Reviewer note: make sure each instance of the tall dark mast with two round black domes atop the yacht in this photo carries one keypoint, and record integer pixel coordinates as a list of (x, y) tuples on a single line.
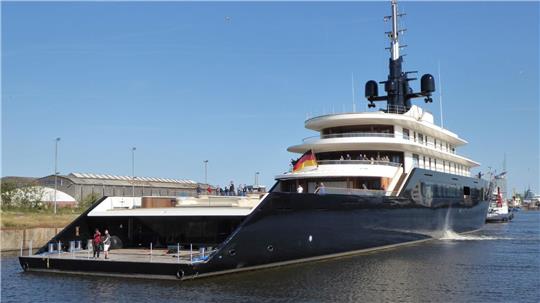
[(398, 91)]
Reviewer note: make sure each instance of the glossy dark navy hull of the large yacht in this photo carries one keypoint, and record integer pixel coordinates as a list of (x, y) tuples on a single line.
[(289, 227)]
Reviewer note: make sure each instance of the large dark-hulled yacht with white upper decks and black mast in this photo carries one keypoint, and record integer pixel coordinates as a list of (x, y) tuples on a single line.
[(366, 181)]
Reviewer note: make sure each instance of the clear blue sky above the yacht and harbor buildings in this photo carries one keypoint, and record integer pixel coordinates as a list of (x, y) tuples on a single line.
[(233, 82)]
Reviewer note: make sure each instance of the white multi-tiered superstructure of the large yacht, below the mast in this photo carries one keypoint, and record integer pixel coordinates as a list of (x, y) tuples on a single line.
[(376, 148)]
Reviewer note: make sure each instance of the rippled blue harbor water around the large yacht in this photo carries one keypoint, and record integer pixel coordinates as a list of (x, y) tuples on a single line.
[(500, 263)]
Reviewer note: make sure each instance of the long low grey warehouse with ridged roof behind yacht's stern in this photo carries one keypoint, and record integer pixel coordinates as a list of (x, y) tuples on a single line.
[(80, 185)]
